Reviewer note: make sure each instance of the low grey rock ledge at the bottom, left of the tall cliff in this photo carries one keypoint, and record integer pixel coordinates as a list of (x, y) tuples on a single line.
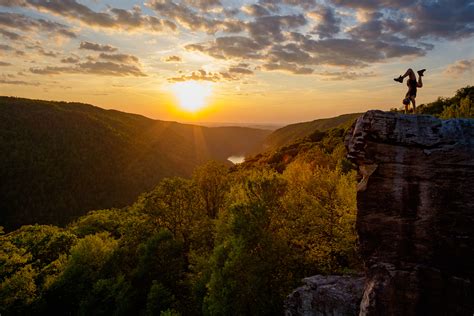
[(326, 296)]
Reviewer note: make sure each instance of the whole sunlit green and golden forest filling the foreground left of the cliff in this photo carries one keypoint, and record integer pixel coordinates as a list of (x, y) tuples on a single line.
[(225, 242)]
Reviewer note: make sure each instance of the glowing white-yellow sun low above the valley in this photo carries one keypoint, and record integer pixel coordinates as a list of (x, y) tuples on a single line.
[(192, 95)]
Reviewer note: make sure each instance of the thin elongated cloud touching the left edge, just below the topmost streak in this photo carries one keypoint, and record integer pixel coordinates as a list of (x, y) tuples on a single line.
[(25, 23)]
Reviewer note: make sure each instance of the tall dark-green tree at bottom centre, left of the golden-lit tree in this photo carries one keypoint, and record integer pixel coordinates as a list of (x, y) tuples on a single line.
[(249, 271)]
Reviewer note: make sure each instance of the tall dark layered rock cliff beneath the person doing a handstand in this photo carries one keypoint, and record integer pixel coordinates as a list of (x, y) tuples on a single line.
[(415, 214)]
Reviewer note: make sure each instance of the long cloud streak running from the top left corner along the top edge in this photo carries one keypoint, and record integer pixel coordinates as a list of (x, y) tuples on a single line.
[(113, 18)]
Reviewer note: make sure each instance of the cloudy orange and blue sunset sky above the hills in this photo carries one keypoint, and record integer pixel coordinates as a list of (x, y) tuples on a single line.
[(264, 61)]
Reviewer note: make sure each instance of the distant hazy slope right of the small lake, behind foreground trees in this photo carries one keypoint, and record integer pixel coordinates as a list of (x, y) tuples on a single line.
[(290, 133)]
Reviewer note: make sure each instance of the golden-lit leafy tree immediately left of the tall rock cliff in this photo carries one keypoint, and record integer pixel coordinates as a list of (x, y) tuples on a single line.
[(318, 217)]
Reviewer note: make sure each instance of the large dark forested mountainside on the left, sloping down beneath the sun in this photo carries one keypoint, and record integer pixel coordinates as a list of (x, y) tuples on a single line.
[(60, 160)]
